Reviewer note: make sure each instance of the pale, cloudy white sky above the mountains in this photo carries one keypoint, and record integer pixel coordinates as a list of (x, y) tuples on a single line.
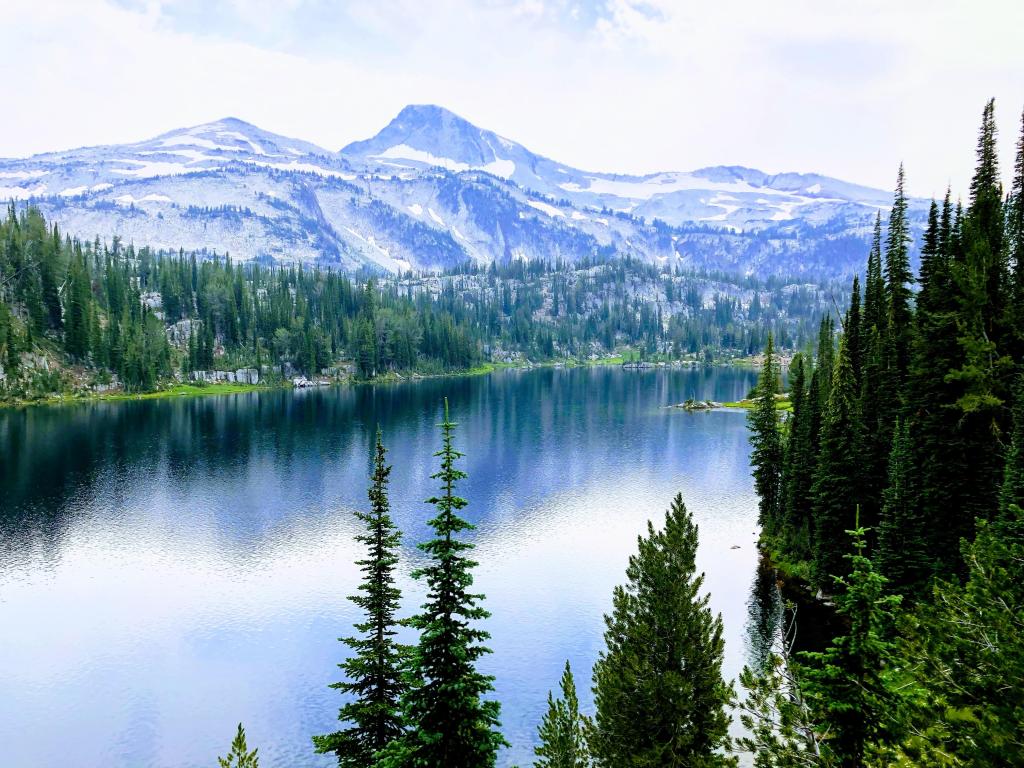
[(849, 90)]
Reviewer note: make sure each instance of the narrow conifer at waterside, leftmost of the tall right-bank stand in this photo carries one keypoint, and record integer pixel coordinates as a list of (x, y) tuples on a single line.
[(766, 443)]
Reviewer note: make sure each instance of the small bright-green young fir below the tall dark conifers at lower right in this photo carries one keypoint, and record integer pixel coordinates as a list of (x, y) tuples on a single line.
[(850, 687)]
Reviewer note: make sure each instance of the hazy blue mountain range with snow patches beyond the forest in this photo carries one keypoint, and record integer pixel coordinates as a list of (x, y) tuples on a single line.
[(432, 191)]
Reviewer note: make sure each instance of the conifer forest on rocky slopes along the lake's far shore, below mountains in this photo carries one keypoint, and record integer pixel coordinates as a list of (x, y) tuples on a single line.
[(144, 317)]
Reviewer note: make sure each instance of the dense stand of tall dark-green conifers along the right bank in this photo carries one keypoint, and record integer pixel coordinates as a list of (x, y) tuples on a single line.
[(909, 436)]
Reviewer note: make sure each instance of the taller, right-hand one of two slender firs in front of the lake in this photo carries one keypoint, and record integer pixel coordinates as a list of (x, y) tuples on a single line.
[(450, 722)]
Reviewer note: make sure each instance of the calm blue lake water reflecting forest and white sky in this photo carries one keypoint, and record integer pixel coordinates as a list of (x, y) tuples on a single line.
[(168, 569)]
